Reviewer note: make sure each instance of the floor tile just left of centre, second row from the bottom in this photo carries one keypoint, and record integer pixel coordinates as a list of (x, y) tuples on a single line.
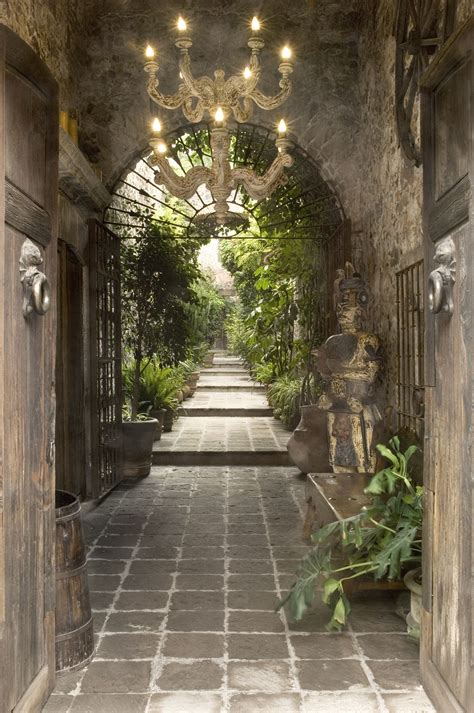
[(196, 675)]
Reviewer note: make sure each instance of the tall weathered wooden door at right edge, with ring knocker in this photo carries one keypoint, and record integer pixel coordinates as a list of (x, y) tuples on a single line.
[(447, 140)]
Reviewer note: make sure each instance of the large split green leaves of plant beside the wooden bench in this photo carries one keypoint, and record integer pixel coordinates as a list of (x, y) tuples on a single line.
[(383, 541)]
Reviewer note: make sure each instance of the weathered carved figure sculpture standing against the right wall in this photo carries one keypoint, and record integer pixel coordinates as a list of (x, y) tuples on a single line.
[(349, 363)]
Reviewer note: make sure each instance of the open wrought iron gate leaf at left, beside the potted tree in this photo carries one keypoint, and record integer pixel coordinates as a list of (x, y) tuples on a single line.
[(105, 347)]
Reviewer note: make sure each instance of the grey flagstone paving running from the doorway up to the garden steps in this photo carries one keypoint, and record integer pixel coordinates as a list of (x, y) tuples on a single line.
[(185, 569)]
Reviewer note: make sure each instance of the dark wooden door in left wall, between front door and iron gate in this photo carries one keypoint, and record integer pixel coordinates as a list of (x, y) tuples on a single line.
[(71, 467)]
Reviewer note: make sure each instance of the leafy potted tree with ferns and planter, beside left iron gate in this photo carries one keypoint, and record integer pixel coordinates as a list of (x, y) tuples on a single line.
[(157, 274)]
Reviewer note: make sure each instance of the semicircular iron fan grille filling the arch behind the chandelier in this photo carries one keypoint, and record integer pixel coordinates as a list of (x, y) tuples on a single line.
[(306, 207)]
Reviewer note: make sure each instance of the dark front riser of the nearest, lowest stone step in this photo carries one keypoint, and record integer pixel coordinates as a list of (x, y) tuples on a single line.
[(210, 458)]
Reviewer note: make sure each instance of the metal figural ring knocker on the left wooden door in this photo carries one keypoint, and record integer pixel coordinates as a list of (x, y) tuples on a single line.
[(36, 289)]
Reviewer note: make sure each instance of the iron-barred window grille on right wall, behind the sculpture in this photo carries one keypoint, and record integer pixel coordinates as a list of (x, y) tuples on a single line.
[(410, 347)]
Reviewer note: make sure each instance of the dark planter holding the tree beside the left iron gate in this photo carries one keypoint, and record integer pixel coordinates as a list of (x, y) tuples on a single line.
[(138, 439)]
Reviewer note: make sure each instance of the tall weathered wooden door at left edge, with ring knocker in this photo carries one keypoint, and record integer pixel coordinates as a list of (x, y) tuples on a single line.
[(28, 204)]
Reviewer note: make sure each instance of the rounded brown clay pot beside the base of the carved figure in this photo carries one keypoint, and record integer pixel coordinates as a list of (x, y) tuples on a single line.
[(308, 446)]
